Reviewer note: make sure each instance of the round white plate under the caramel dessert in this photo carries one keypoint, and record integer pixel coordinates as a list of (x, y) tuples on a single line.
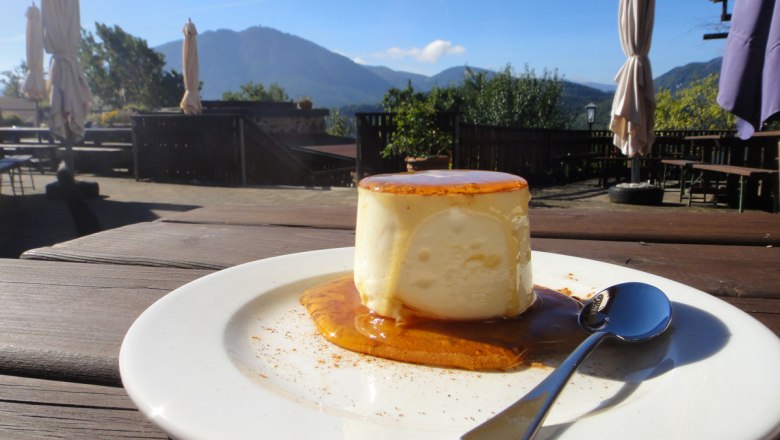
[(234, 355)]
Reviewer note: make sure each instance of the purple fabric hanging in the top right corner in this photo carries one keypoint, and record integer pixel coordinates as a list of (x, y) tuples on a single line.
[(750, 75)]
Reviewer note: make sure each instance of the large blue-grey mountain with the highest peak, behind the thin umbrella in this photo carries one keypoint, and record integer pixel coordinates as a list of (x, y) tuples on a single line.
[(229, 59)]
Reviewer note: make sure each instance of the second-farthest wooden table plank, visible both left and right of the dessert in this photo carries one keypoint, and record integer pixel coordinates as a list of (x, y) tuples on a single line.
[(723, 270)]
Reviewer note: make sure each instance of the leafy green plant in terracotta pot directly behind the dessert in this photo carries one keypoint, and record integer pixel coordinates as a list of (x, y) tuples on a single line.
[(417, 137)]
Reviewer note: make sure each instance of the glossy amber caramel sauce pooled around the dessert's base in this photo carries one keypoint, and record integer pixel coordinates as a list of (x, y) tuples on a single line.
[(549, 326)]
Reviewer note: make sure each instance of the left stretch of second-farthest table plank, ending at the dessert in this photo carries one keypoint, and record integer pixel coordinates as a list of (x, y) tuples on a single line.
[(191, 246)]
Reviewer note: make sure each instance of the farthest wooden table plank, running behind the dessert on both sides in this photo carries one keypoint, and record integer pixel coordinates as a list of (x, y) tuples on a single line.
[(749, 228)]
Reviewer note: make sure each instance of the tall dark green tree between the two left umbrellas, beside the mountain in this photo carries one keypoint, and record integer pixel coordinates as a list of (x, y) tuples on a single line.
[(122, 69)]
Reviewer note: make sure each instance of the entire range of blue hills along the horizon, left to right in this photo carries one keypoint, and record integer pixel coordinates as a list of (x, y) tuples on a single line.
[(264, 55)]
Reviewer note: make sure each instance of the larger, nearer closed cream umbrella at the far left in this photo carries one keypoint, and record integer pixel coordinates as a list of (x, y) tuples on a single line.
[(69, 92)]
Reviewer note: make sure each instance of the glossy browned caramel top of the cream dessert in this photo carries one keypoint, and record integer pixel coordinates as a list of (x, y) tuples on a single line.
[(443, 182)]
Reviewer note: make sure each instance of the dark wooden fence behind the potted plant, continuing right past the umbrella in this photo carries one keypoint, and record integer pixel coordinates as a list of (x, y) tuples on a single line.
[(540, 155)]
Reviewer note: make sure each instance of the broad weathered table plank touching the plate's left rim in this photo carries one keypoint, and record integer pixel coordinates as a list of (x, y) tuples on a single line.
[(66, 321)]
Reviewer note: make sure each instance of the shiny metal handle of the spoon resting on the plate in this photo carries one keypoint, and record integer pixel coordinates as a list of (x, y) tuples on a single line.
[(523, 418)]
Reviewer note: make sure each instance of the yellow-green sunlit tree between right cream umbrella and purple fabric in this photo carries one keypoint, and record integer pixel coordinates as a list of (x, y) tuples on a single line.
[(692, 108)]
